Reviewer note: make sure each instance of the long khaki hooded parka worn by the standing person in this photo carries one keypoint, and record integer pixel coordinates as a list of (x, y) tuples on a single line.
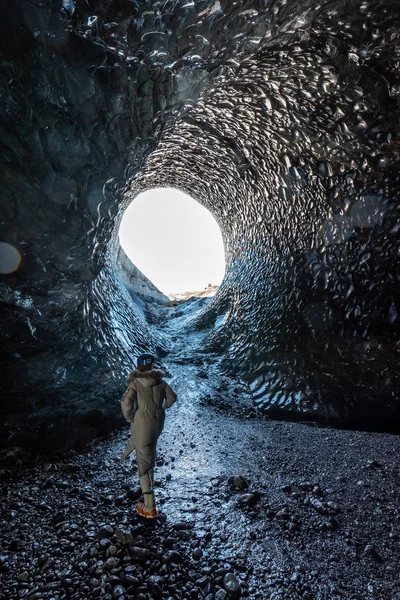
[(143, 406)]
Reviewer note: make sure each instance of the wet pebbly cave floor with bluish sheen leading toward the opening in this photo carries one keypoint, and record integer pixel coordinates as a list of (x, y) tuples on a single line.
[(249, 508)]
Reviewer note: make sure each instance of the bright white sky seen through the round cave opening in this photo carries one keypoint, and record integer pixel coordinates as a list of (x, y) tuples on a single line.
[(173, 240)]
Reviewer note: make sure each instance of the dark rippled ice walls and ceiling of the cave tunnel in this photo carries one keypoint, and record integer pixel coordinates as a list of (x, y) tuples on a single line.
[(281, 117)]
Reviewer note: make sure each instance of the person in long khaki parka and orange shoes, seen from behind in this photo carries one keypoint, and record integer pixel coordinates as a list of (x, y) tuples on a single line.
[(143, 405)]
